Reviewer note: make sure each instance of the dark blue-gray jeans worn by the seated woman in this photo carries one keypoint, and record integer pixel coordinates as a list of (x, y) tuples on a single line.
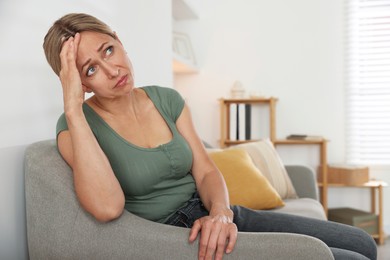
[(345, 242)]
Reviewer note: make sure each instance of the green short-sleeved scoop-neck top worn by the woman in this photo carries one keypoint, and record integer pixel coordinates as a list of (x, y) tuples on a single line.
[(155, 181)]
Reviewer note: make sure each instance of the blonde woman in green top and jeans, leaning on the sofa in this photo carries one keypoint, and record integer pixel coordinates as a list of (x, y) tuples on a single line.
[(136, 148)]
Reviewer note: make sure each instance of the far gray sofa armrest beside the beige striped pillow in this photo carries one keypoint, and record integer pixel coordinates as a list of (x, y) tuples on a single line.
[(304, 181)]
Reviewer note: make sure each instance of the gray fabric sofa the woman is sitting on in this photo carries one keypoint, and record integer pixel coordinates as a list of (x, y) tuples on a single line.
[(58, 228)]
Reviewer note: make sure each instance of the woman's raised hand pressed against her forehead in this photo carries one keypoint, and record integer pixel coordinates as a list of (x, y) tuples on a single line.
[(72, 88)]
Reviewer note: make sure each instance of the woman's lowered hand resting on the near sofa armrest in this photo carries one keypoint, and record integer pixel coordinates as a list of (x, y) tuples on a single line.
[(217, 233)]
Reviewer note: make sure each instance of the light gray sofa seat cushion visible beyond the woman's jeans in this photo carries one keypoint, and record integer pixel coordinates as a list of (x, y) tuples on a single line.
[(304, 207)]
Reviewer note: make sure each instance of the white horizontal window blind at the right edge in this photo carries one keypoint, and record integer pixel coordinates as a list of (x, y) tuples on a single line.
[(368, 82)]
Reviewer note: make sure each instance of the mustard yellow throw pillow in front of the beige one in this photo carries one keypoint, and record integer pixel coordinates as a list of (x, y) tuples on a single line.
[(246, 184)]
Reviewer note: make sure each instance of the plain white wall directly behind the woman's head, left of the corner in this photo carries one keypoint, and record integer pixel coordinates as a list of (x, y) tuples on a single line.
[(31, 98)]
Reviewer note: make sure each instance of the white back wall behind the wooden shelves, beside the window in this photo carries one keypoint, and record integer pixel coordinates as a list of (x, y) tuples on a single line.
[(293, 50)]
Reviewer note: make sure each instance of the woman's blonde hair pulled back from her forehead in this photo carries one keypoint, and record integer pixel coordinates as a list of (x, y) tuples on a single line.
[(66, 27)]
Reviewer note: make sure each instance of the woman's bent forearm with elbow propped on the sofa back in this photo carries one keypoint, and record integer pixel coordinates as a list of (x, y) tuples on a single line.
[(96, 185)]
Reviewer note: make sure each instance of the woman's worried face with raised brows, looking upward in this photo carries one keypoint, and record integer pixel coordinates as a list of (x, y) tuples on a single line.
[(103, 64)]
